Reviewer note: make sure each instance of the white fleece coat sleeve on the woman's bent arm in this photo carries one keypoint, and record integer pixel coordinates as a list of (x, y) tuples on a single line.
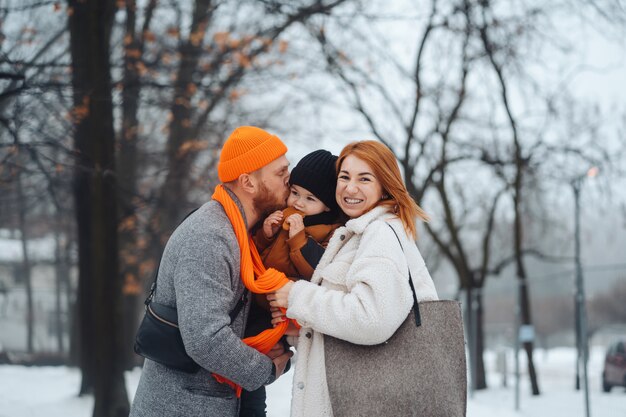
[(377, 299)]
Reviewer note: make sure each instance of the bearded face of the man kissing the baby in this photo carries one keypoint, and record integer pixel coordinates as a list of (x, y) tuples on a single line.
[(273, 186)]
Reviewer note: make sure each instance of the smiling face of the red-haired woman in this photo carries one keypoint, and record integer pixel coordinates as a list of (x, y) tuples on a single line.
[(358, 190)]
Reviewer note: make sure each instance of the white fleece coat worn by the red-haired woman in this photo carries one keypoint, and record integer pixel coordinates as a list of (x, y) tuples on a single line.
[(360, 293)]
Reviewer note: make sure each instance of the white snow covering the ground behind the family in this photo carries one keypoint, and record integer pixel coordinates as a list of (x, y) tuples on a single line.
[(51, 391)]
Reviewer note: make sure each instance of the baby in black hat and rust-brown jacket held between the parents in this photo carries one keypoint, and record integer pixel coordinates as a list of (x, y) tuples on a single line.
[(293, 241)]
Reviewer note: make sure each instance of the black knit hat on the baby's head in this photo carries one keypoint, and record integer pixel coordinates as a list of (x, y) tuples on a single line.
[(316, 172)]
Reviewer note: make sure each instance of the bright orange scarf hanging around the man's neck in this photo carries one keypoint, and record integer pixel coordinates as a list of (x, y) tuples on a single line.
[(267, 280)]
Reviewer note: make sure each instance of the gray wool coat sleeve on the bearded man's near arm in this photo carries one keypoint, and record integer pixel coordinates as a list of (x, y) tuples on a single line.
[(204, 298)]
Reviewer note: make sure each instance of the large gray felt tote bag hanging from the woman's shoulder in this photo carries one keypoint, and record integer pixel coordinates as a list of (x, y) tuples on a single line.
[(419, 371)]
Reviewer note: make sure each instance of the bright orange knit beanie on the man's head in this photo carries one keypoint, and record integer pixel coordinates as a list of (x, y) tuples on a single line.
[(247, 149)]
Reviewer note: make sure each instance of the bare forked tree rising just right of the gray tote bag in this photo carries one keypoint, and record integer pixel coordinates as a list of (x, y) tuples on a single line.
[(428, 155)]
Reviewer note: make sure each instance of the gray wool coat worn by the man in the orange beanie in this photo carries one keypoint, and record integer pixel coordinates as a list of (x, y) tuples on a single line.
[(199, 275)]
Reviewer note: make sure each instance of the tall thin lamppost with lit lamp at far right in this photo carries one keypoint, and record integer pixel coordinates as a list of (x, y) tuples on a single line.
[(582, 347)]
